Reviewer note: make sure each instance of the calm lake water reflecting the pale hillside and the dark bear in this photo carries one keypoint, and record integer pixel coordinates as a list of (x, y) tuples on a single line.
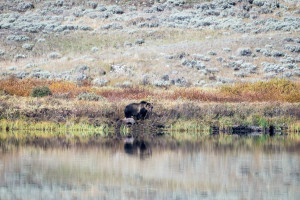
[(215, 167)]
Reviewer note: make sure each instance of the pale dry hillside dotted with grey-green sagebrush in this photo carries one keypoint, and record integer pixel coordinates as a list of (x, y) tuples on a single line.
[(161, 43)]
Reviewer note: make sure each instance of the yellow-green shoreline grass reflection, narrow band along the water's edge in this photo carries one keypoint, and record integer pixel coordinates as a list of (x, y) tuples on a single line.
[(193, 139)]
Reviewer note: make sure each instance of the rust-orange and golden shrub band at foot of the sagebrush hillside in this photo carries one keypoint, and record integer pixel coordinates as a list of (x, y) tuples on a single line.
[(271, 91)]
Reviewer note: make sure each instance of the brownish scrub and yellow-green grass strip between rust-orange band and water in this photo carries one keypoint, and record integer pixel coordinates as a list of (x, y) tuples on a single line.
[(50, 114)]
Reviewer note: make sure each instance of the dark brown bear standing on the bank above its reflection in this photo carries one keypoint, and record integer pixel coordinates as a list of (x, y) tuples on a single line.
[(138, 110)]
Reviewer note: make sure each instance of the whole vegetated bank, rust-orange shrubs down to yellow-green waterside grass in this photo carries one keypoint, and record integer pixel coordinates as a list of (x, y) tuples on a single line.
[(83, 107)]
